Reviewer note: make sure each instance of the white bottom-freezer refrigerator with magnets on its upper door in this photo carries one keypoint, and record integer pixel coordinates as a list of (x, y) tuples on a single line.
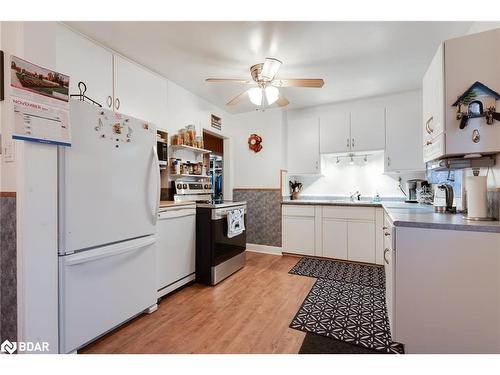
[(109, 191)]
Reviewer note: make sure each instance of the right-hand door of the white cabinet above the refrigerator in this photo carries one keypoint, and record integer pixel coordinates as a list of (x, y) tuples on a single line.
[(140, 93)]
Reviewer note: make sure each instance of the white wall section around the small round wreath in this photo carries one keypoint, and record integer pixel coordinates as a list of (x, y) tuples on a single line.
[(262, 169)]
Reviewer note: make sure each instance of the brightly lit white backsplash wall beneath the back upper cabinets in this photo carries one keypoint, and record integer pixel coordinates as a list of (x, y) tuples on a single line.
[(343, 178)]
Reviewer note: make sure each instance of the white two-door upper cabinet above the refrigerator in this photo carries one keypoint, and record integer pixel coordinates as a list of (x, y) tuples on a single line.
[(111, 80)]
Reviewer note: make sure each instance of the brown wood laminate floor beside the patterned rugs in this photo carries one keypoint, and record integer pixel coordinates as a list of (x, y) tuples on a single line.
[(247, 313)]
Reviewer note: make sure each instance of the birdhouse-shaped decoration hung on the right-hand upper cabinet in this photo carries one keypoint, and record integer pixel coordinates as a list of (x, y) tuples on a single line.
[(477, 101)]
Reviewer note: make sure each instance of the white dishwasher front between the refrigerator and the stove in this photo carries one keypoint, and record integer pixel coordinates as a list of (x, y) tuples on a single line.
[(175, 248)]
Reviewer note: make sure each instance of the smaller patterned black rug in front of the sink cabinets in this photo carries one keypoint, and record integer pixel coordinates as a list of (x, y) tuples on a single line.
[(355, 273)]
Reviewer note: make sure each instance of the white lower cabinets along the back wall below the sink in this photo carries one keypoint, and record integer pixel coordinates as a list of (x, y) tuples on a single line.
[(339, 232)]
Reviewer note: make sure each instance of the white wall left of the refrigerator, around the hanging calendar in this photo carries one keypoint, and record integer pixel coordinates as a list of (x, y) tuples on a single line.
[(33, 176)]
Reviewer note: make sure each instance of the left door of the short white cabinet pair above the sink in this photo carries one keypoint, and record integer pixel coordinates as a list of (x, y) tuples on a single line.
[(334, 131)]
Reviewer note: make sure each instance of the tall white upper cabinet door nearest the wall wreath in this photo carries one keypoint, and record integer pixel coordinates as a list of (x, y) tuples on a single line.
[(303, 145)]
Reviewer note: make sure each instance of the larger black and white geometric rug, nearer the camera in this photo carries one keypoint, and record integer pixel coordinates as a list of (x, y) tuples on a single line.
[(349, 312)]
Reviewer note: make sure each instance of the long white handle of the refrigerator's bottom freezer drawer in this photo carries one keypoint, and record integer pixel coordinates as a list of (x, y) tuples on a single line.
[(109, 251)]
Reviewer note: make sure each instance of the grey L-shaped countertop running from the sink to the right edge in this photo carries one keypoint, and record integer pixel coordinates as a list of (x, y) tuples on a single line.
[(410, 214)]
